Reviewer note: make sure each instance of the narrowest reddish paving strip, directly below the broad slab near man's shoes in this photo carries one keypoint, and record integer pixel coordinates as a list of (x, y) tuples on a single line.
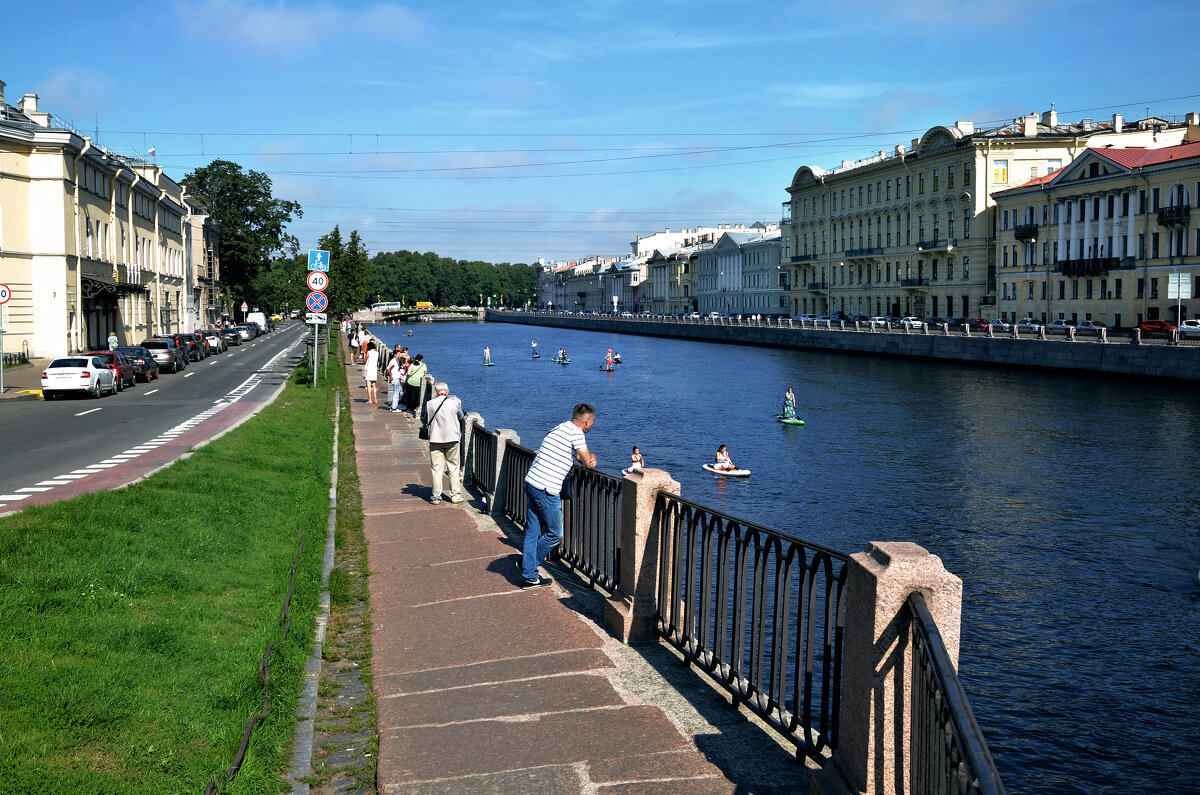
[(562, 662)]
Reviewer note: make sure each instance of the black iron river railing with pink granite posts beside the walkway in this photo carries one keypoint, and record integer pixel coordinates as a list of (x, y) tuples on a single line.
[(817, 643)]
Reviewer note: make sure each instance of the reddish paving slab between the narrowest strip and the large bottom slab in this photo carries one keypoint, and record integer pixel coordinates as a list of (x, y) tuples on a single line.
[(505, 700)]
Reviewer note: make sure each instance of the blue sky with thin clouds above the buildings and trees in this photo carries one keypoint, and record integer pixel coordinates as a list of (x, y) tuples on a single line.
[(509, 131)]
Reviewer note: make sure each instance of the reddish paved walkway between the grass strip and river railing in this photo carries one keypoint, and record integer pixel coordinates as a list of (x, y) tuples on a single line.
[(483, 688)]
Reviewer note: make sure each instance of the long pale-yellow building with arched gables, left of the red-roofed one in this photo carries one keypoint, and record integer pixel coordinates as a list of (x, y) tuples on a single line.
[(910, 232)]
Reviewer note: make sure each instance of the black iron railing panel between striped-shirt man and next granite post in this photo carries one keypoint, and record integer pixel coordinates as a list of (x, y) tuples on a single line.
[(592, 528)]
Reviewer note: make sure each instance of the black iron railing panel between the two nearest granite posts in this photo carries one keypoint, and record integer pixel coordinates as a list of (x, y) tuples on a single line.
[(761, 612)]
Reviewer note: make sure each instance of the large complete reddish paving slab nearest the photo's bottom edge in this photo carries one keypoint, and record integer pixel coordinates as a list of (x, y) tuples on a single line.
[(424, 754)]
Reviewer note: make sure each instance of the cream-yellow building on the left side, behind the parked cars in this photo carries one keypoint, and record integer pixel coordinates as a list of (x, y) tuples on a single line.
[(91, 242)]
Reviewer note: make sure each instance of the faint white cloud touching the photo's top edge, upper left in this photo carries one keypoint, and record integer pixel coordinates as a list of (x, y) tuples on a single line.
[(280, 28)]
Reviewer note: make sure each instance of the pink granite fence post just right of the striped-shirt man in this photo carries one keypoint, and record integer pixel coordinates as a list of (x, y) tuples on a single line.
[(631, 613)]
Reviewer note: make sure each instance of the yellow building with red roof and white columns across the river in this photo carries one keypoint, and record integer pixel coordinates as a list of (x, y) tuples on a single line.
[(1099, 241)]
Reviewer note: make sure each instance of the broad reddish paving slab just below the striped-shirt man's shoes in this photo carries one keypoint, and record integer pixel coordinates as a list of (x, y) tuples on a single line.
[(506, 626)]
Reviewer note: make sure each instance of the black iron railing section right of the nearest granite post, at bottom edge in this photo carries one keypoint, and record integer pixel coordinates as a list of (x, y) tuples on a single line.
[(949, 752)]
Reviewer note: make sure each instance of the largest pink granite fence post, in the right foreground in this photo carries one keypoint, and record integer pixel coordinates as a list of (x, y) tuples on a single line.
[(873, 755)]
